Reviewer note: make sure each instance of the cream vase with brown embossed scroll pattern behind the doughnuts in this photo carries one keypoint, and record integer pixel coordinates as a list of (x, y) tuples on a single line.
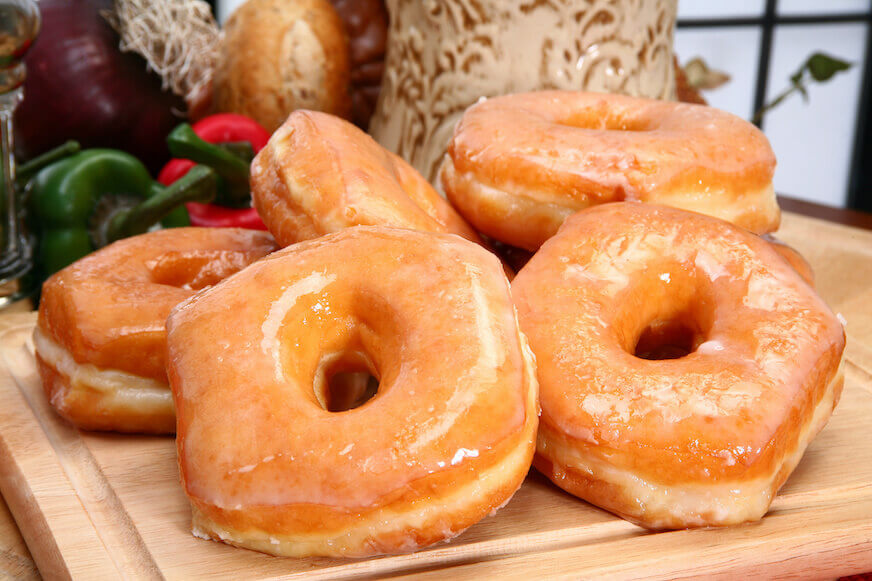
[(444, 55)]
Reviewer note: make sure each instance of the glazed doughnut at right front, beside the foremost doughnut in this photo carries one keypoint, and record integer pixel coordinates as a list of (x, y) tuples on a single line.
[(684, 366)]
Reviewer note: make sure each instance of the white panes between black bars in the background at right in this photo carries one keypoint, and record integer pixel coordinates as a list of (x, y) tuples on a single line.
[(813, 141)]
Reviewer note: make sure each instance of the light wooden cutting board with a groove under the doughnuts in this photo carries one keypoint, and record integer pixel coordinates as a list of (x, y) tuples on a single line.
[(105, 506)]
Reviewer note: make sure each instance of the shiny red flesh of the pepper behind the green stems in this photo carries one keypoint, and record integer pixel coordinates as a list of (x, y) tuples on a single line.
[(220, 128)]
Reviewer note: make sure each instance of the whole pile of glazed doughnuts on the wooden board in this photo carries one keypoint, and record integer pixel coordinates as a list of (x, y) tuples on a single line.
[(369, 388)]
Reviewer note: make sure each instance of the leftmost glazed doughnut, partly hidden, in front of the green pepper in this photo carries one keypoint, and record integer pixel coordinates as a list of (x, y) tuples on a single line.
[(100, 338)]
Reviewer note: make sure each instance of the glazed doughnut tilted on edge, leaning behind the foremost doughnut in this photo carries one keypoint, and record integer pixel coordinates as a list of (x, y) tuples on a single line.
[(319, 174)]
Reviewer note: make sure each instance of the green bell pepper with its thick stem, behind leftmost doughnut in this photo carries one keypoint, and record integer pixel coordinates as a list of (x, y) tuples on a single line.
[(97, 196)]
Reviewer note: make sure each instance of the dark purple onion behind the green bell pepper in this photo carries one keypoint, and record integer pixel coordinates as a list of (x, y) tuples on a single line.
[(81, 86)]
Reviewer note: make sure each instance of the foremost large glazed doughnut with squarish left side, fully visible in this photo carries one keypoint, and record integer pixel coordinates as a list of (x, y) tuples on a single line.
[(446, 440)]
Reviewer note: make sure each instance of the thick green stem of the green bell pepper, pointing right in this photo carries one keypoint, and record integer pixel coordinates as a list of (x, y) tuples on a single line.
[(198, 185)]
